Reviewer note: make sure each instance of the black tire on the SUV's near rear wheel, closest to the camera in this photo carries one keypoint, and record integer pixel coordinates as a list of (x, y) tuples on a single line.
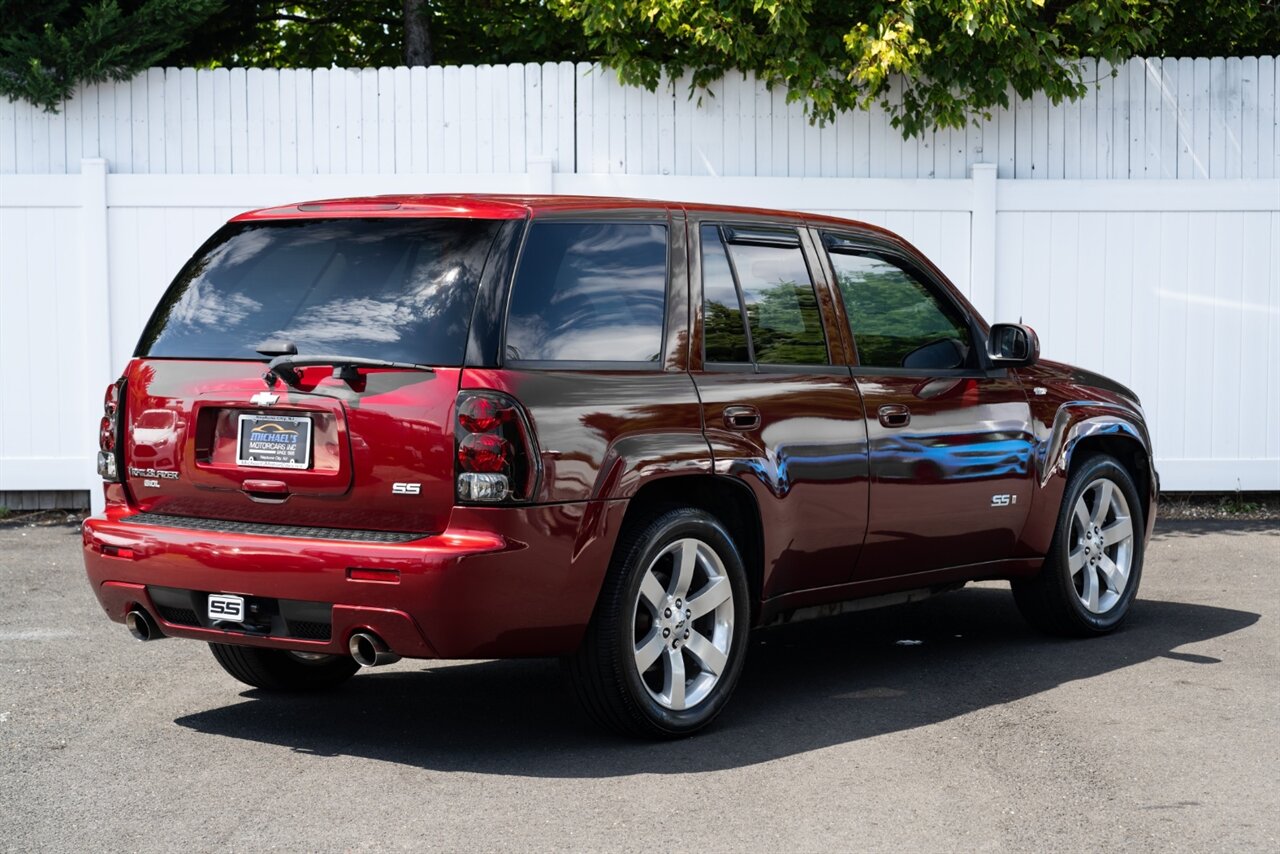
[(605, 673)]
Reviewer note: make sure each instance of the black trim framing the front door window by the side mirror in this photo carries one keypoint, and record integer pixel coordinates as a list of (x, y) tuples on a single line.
[(871, 244)]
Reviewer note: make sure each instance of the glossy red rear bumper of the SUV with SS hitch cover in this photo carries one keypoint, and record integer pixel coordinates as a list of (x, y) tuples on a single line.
[(500, 583)]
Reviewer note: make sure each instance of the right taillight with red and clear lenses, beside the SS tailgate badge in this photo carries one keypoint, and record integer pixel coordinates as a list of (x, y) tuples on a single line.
[(497, 459)]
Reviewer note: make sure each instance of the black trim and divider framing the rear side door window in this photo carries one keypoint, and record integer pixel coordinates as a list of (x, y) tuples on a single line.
[(755, 232)]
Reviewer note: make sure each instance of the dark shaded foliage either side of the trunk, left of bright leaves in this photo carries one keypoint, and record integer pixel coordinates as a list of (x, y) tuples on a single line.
[(48, 47)]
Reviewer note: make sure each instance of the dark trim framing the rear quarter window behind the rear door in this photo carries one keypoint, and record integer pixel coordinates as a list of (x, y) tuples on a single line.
[(606, 218)]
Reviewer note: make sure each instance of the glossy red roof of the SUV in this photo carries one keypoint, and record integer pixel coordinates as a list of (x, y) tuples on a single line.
[(492, 207)]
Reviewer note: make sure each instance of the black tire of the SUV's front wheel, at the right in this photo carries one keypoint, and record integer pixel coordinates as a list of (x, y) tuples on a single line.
[(1052, 601)]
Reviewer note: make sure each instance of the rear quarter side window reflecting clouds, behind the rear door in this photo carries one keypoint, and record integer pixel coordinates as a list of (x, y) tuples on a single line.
[(589, 293)]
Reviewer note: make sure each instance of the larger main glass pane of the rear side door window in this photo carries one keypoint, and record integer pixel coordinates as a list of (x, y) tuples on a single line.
[(781, 307)]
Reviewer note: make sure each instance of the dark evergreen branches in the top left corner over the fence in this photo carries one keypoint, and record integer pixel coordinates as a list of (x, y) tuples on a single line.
[(48, 47)]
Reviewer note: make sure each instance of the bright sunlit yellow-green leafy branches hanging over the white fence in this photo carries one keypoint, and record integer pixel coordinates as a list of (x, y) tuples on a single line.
[(954, 57)]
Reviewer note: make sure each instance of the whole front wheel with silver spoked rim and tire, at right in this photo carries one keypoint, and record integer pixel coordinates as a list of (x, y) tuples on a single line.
[(1095, 564)]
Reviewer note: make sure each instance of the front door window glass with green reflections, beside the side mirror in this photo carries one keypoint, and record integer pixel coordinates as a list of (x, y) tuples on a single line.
[(897, 321)]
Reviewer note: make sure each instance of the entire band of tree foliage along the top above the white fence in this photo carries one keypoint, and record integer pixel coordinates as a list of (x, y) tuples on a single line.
[(956, 58)]
